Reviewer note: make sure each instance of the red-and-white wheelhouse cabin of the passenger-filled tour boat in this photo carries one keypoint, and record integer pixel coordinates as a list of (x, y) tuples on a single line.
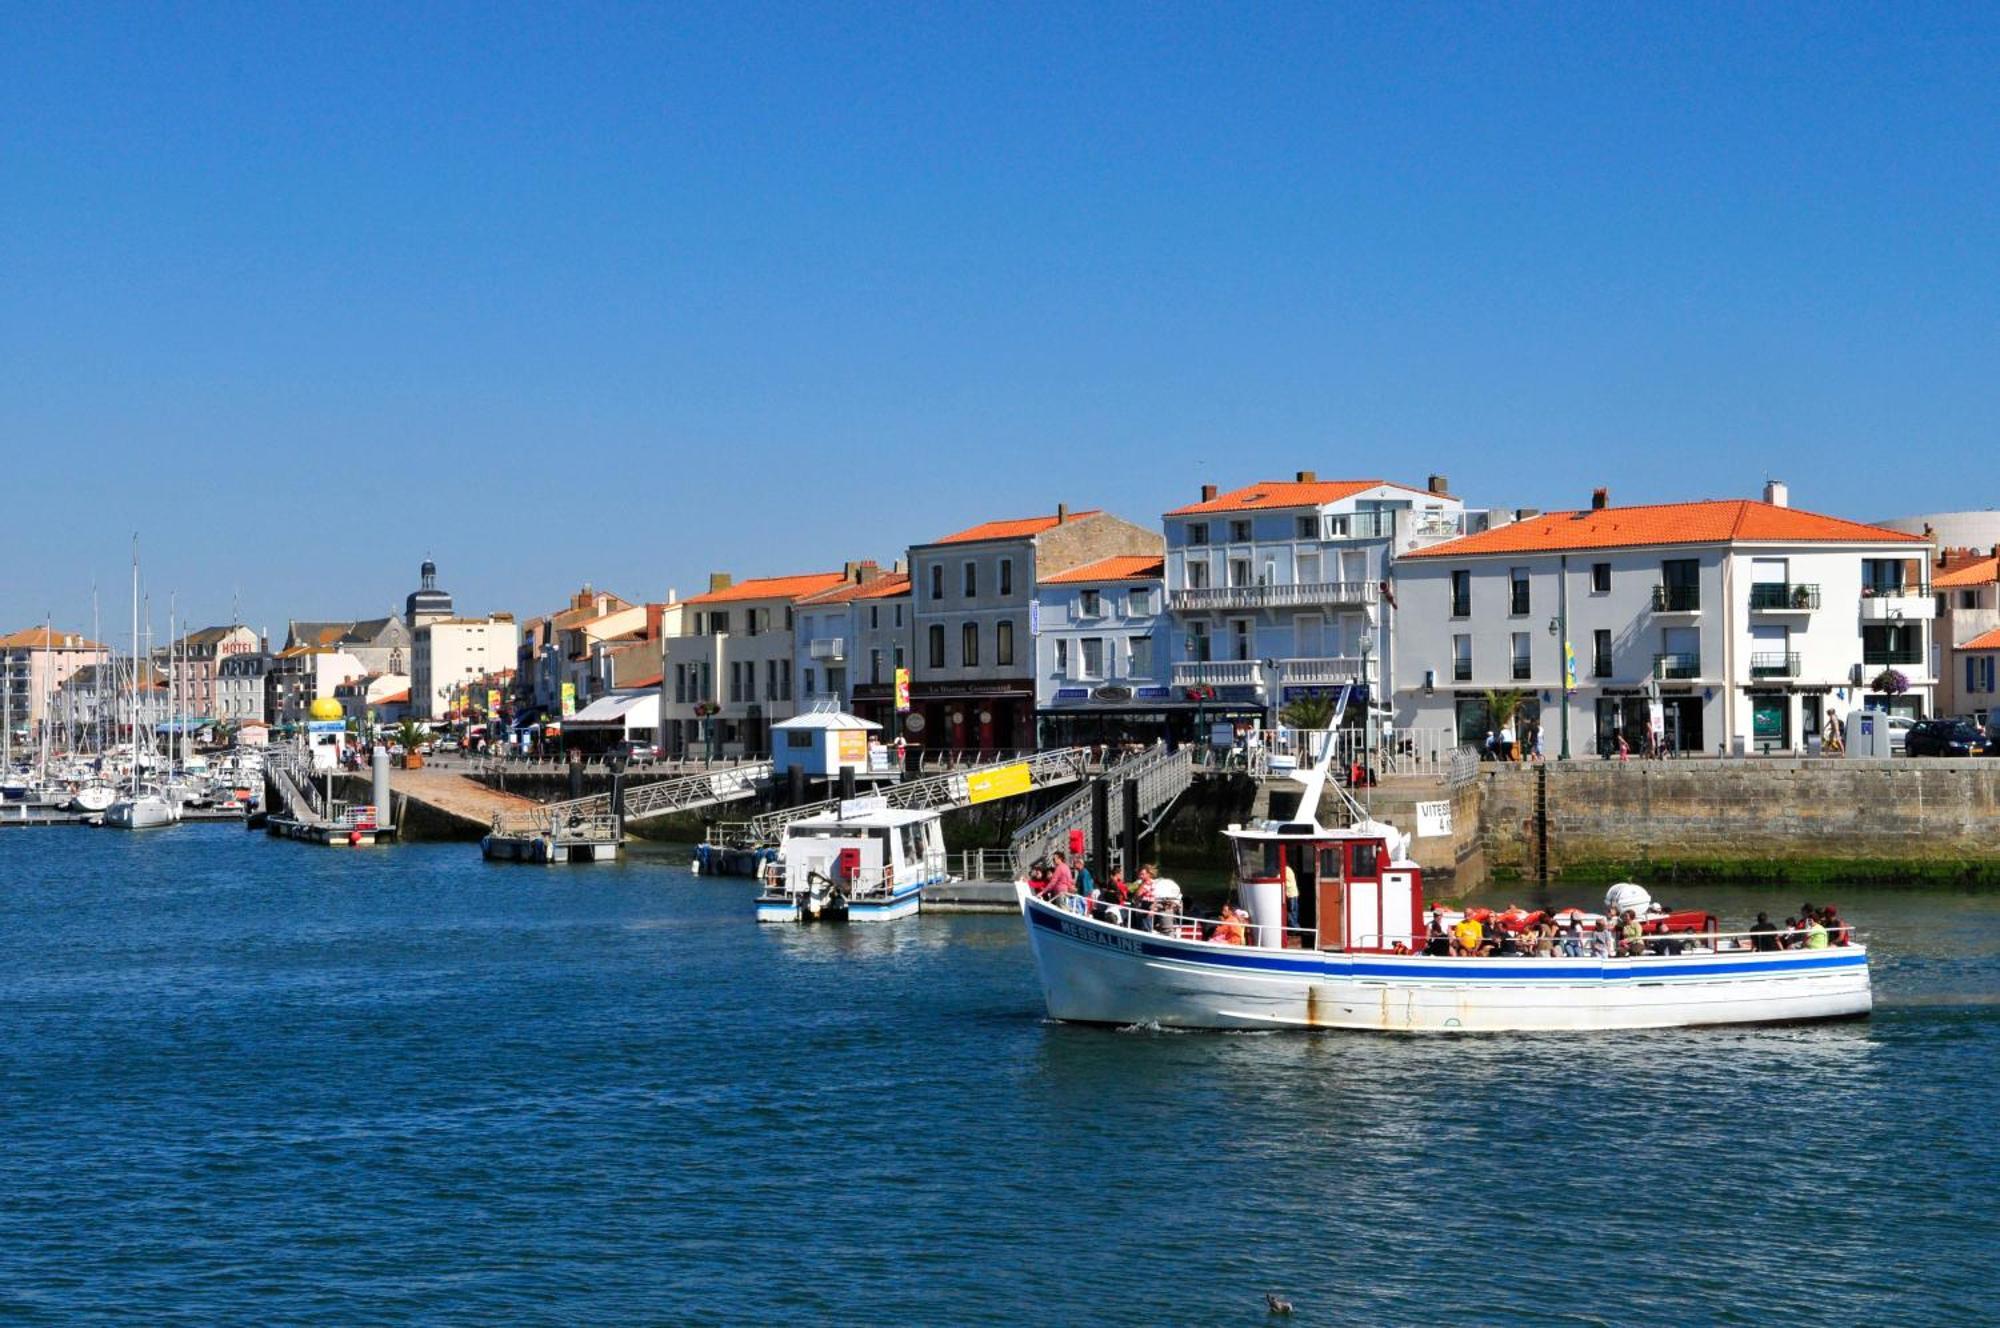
[(1357, 887)]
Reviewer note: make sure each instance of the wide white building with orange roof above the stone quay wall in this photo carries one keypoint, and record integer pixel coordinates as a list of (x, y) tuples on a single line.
[(1749, 623)]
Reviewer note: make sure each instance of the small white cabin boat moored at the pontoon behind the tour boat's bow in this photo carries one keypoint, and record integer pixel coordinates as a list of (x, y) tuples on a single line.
[(865, 863)]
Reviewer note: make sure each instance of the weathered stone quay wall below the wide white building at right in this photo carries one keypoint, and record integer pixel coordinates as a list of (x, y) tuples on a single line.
[(1771, 821)]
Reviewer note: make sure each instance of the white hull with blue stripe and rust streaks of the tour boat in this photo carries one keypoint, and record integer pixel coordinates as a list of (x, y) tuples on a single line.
[(1109, 975)]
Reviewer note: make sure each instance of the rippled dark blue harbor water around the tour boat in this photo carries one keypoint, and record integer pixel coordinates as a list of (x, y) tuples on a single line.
[(249, 1081)]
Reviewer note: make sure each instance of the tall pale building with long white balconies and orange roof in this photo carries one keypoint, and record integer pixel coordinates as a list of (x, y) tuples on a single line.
[(1275, 591)]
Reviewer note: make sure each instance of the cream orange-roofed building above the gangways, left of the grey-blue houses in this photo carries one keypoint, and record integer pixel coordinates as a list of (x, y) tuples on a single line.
[(729, 671)]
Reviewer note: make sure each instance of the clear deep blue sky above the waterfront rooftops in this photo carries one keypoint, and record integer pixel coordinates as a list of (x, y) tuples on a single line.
[(563, 293)]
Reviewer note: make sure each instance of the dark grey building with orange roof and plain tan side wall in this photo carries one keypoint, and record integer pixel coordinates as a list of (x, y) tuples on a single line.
[(973, 681)]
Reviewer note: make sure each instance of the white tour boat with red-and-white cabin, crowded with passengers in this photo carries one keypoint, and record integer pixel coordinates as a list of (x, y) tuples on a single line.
[(1357, 959)]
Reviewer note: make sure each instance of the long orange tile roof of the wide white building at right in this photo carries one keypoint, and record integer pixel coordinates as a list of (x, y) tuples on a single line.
[(1673, 523)]
